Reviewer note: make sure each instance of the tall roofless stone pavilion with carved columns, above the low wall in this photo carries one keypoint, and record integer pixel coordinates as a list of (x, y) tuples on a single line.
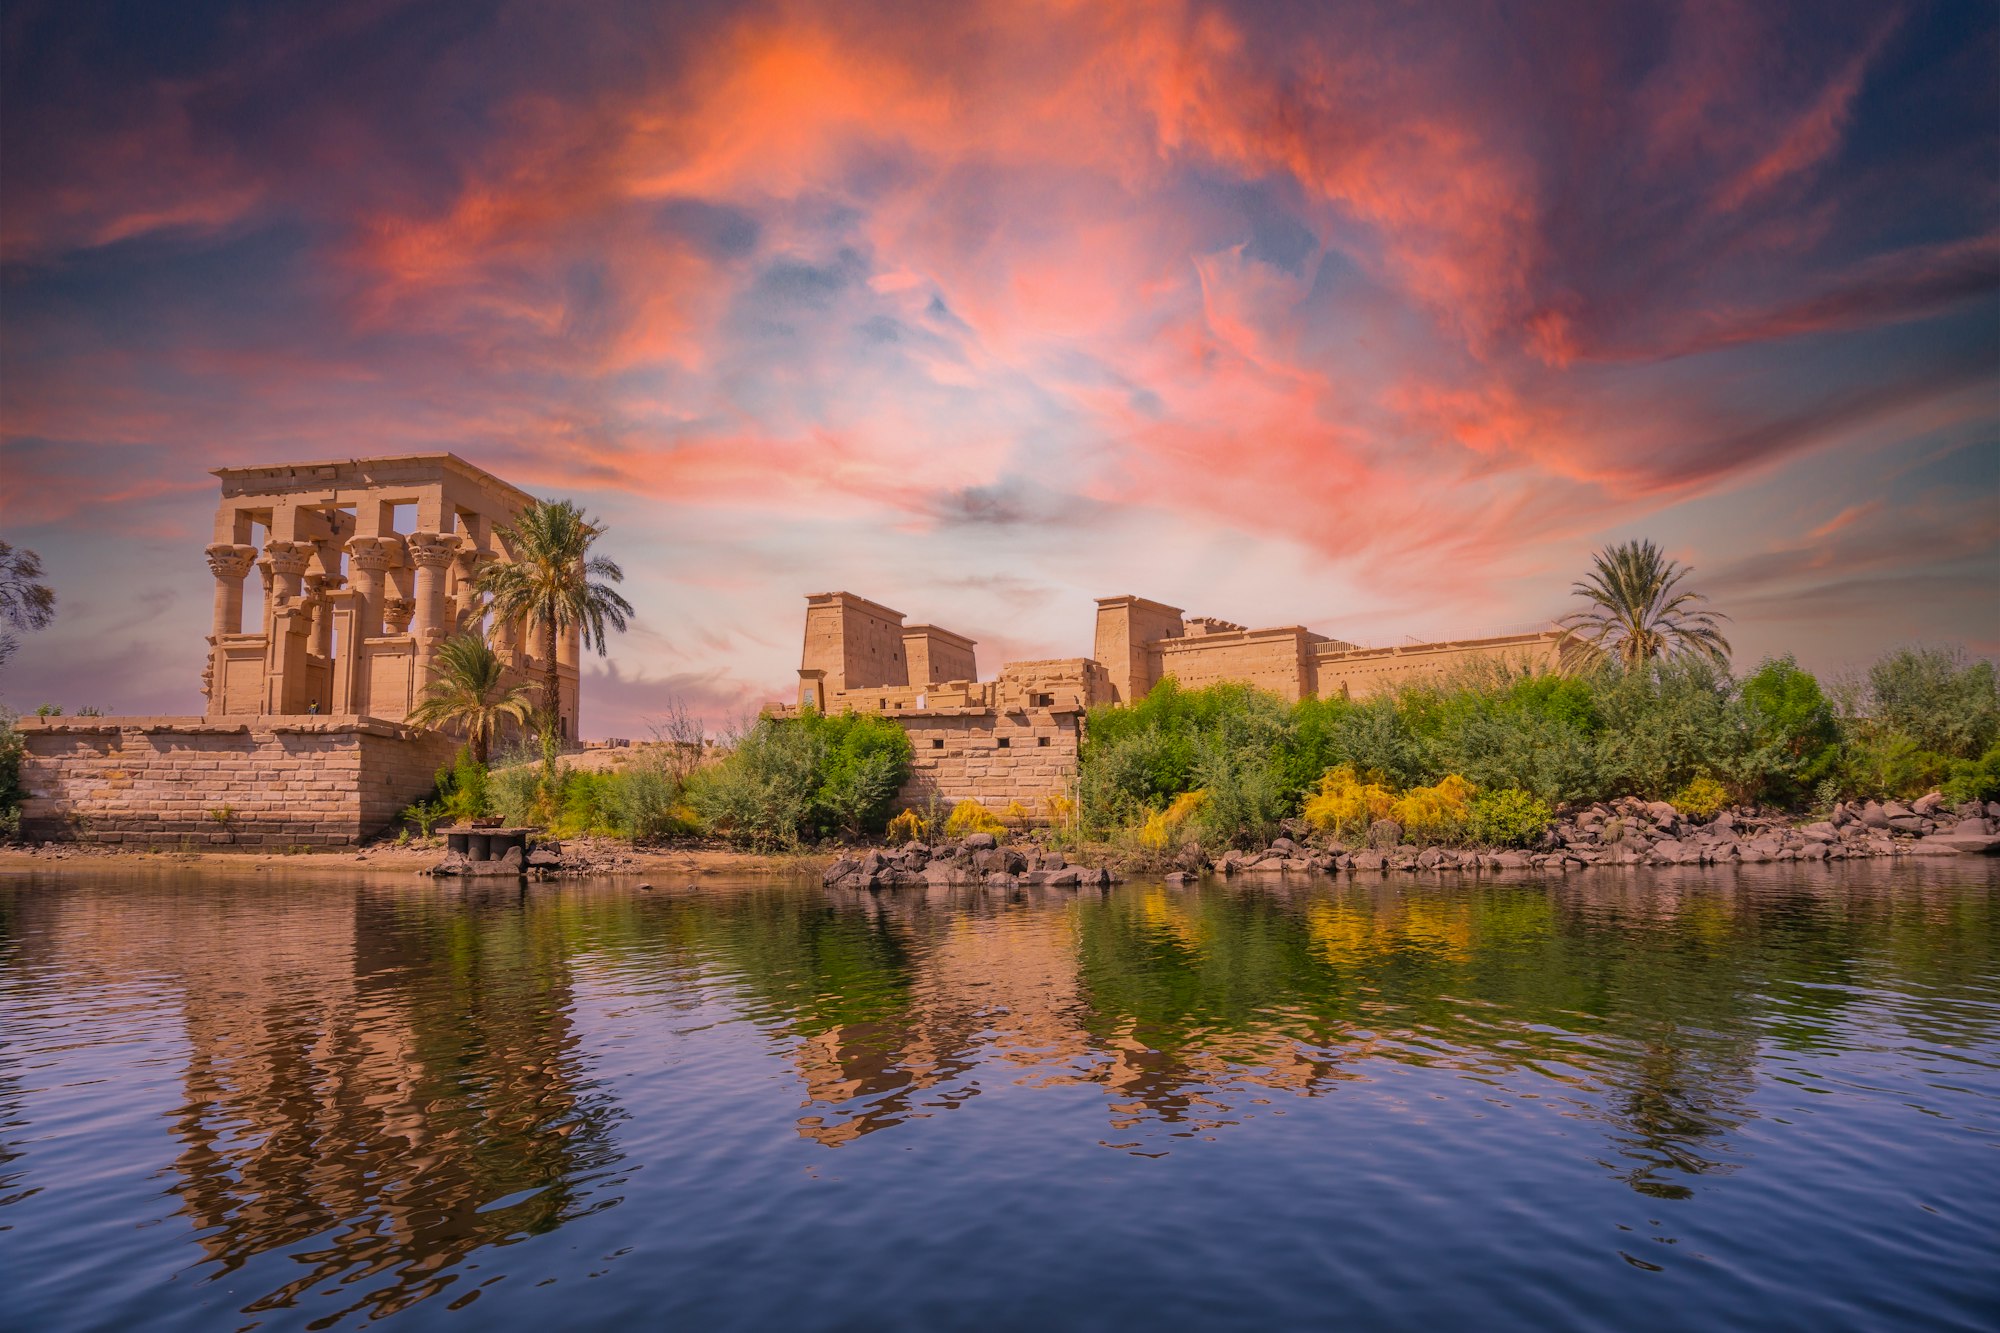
[(353, 609)]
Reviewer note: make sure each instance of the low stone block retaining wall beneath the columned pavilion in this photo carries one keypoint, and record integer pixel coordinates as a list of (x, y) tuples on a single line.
[(163, 782)]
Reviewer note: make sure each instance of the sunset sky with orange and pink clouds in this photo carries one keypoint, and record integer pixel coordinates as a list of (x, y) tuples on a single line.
[(1371, 317)]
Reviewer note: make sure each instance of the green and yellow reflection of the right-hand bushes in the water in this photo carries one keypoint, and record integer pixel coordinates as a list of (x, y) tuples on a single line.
[(1659, 1012)]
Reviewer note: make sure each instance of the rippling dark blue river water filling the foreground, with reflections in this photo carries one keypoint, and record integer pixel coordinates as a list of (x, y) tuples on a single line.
[(1685, 1100)]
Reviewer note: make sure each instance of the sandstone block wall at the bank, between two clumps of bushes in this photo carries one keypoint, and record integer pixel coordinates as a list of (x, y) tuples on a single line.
[(991, 756)]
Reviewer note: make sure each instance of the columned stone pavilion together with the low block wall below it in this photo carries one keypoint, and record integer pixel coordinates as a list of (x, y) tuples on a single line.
[(365, 569)]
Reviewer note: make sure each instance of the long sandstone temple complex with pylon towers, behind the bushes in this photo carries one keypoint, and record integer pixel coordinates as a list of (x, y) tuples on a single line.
[(1015, 740)]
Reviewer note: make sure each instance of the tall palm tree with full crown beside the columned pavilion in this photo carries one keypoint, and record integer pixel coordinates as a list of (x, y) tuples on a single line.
[(551, 579)]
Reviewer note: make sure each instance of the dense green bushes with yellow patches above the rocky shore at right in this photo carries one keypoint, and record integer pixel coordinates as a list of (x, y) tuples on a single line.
[(1489, 754)]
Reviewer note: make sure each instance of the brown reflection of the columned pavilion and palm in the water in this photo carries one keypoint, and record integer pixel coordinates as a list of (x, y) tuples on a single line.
[(377, 1106)]
